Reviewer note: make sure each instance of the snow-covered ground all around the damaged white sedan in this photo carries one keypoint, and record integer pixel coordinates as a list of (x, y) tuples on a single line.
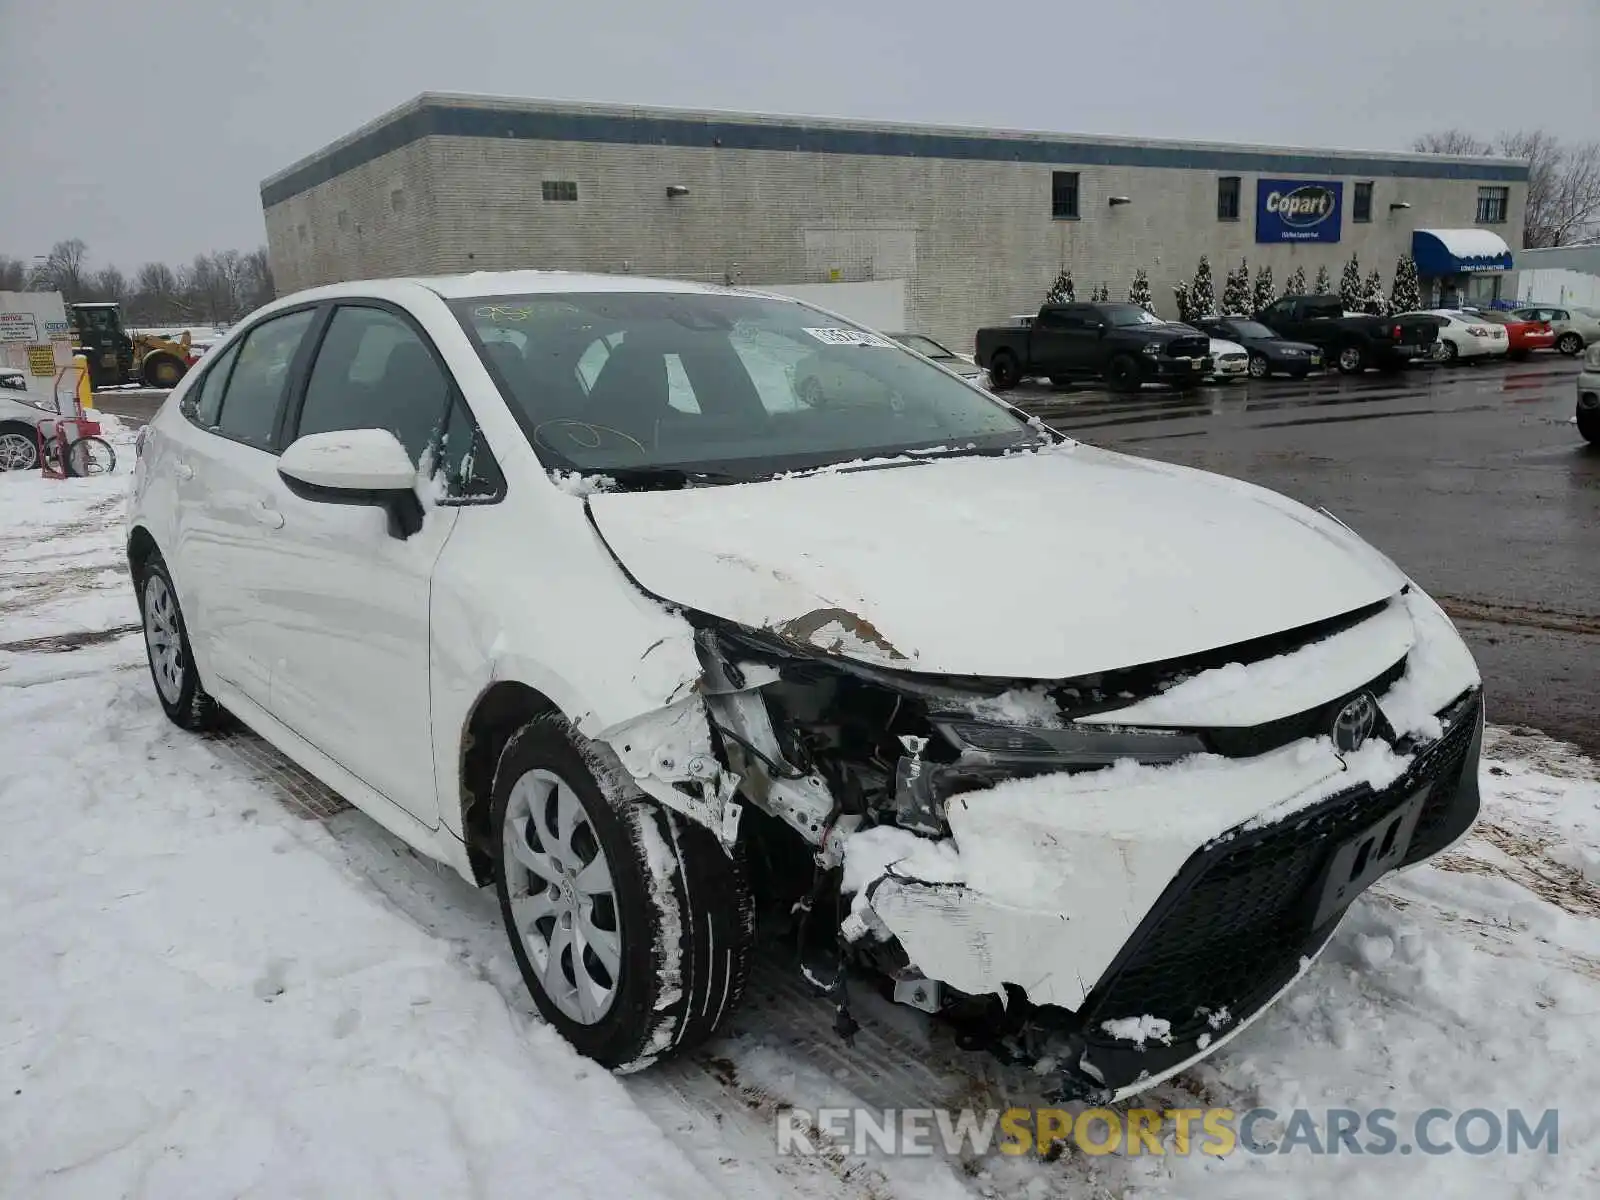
[(209, 994)]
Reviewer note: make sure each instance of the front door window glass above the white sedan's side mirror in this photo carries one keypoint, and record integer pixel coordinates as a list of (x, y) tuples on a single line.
[(375, 372)]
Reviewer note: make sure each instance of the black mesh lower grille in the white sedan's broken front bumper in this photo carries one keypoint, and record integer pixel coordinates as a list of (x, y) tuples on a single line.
[(1233, 929)]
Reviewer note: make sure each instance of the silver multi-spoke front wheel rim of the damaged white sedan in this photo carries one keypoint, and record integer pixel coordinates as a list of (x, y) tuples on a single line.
[(562, 897)]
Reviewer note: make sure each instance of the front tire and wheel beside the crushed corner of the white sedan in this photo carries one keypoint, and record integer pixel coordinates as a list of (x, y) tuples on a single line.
[(630, 924)]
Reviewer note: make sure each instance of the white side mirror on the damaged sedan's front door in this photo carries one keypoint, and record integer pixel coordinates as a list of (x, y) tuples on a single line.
[(356, 466)]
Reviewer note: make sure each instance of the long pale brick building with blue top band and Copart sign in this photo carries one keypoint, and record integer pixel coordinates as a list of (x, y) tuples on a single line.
[(975, 222)]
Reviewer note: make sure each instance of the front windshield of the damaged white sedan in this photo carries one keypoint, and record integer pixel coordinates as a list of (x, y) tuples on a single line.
[(721, 386)]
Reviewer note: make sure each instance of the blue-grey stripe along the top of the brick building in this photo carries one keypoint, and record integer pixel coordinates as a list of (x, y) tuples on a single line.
[(732, 135)]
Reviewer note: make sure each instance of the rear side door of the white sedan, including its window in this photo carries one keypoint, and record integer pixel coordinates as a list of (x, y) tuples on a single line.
[(226, 498)]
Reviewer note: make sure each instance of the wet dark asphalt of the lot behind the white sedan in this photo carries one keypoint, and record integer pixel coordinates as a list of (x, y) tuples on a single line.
[(1471, 478)]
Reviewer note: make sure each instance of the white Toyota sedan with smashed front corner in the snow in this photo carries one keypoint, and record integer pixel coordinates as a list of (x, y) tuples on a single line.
[(558, 578)]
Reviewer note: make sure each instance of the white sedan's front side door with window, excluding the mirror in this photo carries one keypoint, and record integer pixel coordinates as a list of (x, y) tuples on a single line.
[(350, 609)]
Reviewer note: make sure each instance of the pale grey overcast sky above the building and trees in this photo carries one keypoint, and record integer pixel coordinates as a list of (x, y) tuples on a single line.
[(146, 127)]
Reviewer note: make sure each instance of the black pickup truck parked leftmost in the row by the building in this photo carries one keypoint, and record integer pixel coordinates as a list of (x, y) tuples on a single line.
[(1119, 343)]
